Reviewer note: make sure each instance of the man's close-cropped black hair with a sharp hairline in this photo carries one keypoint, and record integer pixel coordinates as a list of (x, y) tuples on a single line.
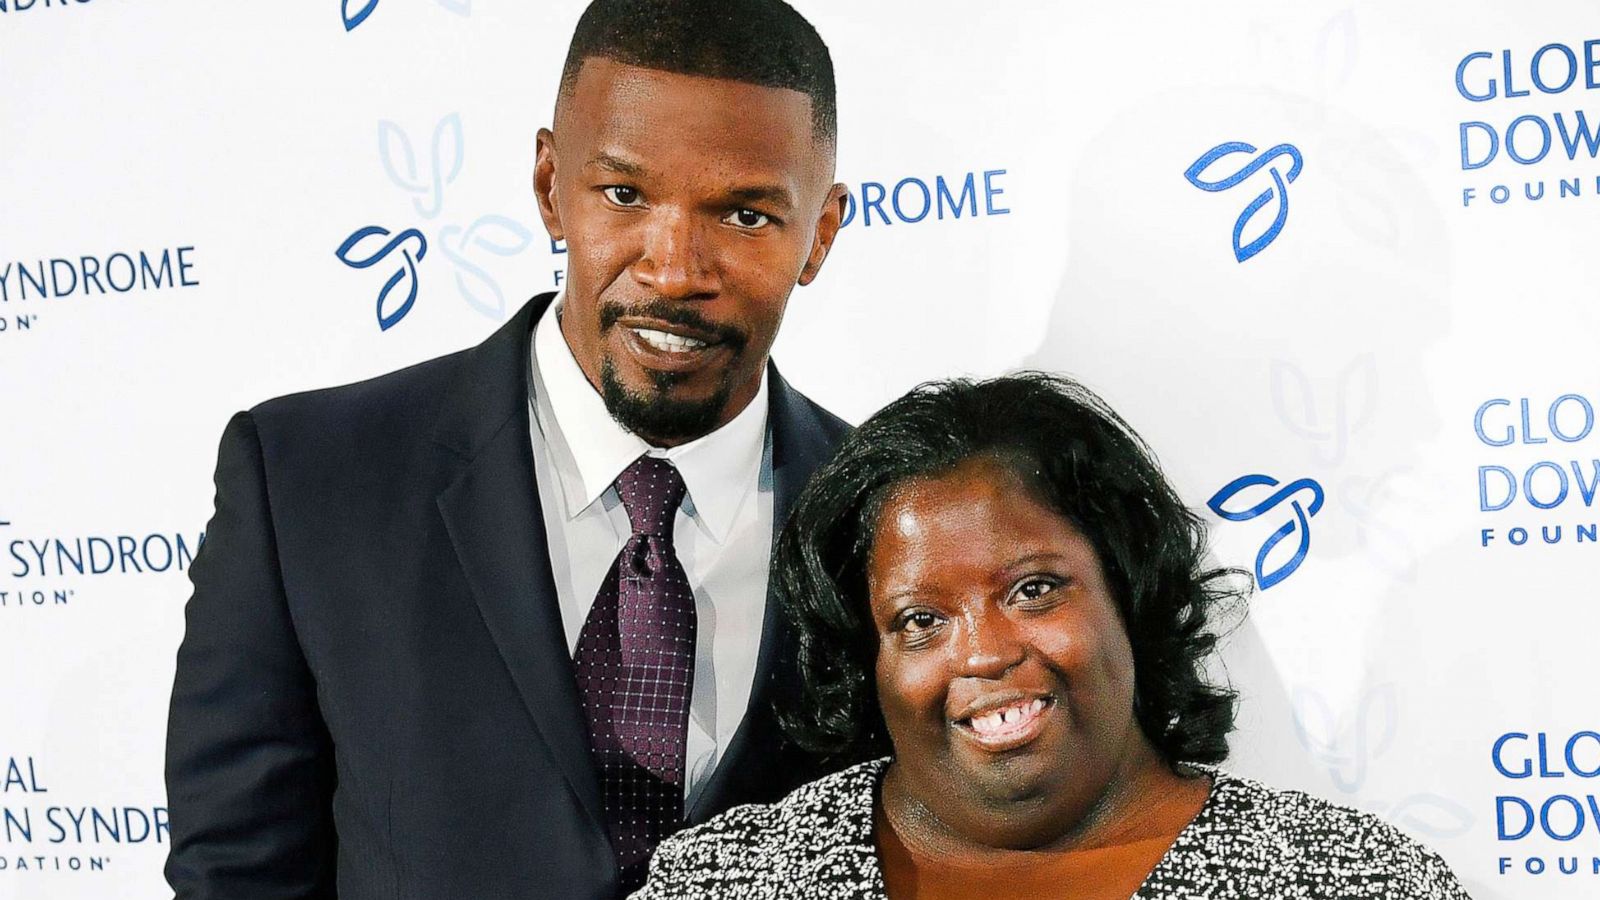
[(759, 42)]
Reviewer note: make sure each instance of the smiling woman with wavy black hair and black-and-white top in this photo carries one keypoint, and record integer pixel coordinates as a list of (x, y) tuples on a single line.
[(1006, 608)]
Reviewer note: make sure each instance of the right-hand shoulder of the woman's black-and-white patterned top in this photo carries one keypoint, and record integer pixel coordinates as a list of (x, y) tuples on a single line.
[(1287, 838)]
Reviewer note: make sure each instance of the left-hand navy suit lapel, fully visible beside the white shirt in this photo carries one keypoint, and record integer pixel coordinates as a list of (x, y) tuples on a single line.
[(497, 526)]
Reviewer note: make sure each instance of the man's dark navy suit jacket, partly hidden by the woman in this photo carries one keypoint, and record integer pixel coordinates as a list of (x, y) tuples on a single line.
[(374, 694)]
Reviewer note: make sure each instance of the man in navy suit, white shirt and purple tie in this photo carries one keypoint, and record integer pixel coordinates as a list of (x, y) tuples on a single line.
[(497, 624)]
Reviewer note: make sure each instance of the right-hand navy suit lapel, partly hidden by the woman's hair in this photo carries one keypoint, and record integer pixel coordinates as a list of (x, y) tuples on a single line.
[(799, 448)]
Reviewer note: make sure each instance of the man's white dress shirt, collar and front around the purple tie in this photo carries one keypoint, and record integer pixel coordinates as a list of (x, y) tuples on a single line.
[(724, 531)]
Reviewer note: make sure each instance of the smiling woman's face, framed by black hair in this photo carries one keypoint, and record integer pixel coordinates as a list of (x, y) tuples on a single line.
[(1004, 669)]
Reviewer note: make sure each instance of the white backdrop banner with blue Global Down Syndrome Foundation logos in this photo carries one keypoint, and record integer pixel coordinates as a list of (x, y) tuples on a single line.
[(1335, 262)]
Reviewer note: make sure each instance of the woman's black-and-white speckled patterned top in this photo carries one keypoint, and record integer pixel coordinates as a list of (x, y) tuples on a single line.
[(1247, 842)]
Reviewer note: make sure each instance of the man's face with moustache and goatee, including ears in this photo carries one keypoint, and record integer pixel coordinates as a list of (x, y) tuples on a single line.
[(690, 209)]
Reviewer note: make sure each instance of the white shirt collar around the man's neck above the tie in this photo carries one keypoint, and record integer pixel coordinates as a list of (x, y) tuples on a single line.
[(591, 449)]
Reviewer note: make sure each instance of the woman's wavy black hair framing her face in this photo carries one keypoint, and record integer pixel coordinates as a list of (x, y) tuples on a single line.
[(1087, 465)]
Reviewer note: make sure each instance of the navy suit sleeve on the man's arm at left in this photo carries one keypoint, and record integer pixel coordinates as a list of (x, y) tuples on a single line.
[(249, 760)]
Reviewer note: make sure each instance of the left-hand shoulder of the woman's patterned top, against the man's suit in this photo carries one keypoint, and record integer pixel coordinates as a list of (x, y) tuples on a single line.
[(820, 835)]
